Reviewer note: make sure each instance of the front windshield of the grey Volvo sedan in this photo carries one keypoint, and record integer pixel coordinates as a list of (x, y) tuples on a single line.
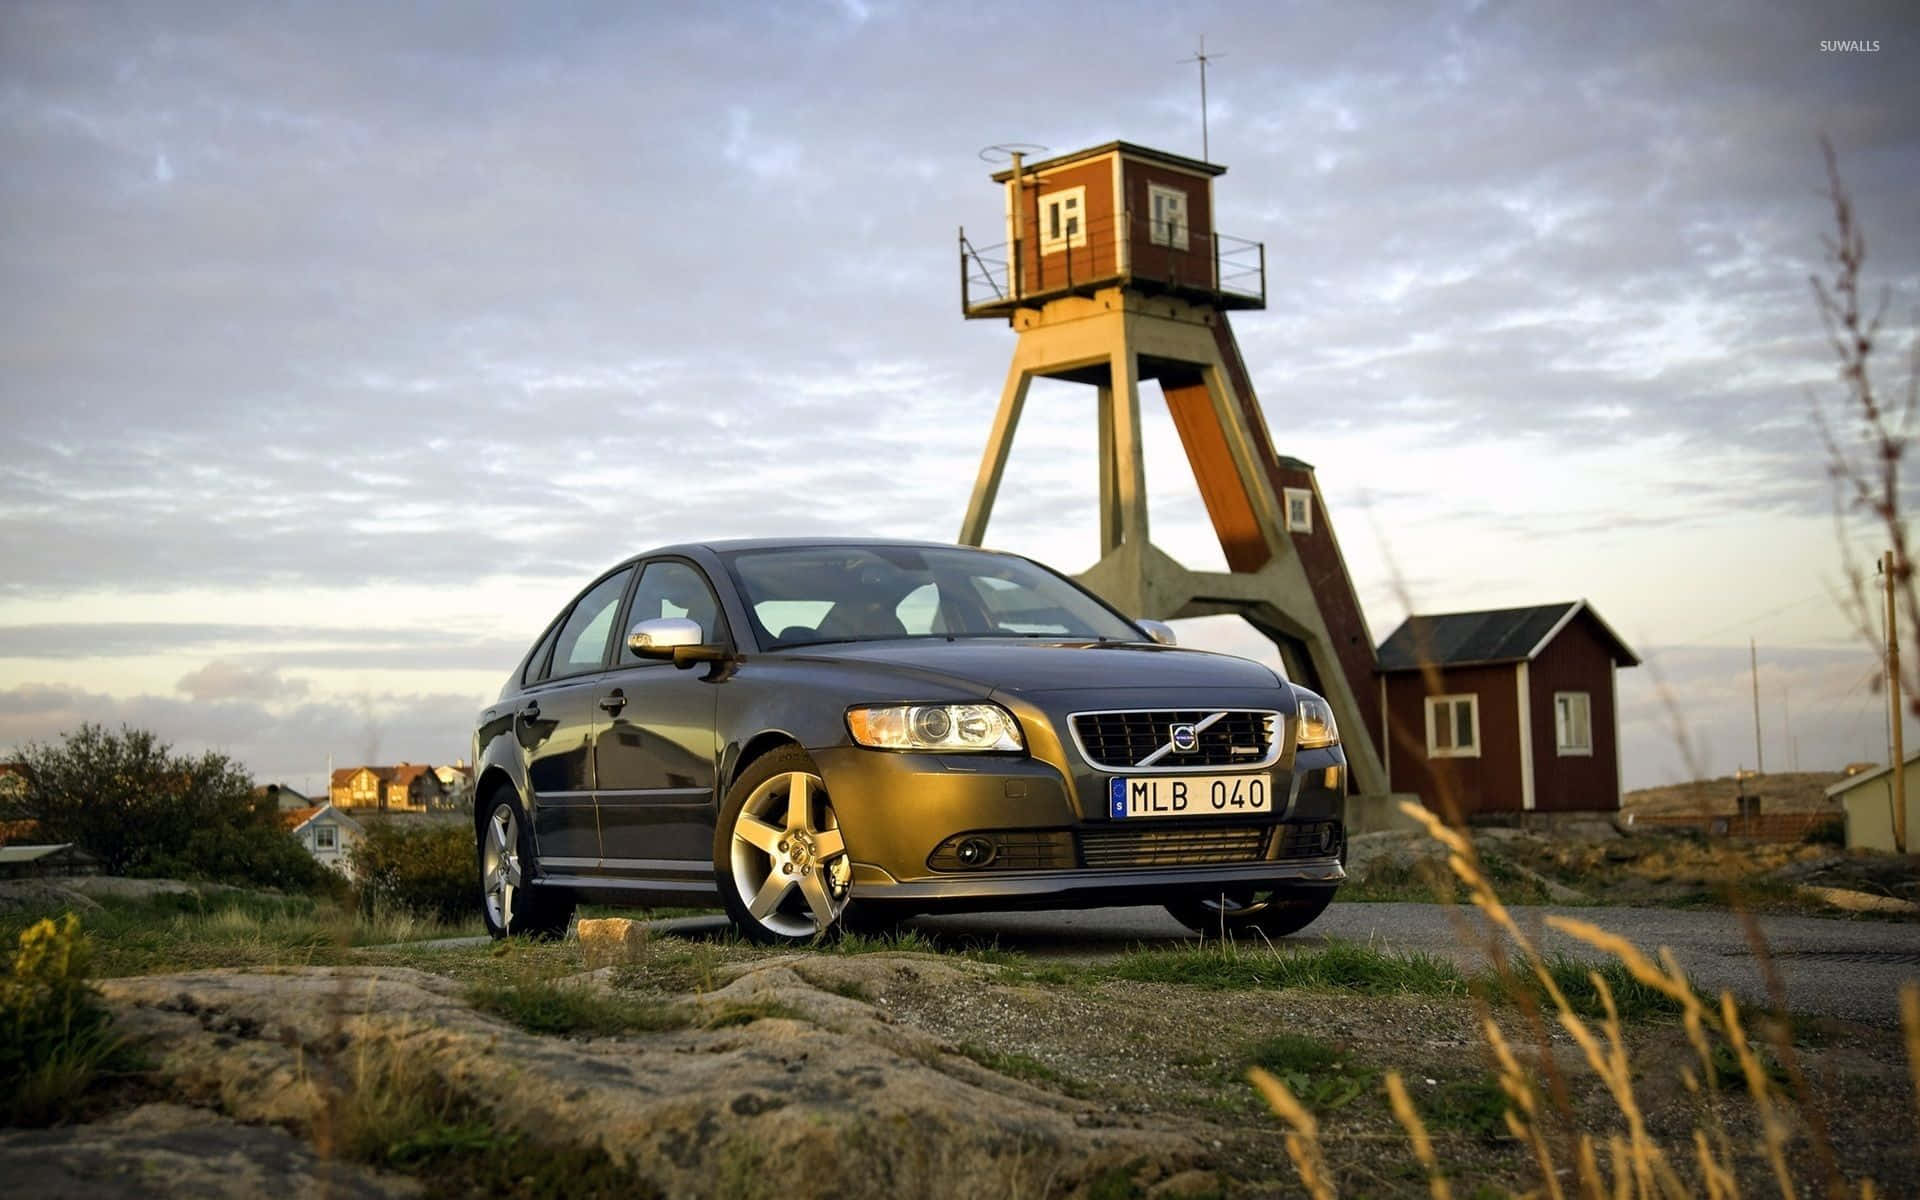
[(815, 594)]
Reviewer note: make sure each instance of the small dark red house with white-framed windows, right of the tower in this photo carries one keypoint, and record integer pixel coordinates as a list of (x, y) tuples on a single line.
[(1518, 711)]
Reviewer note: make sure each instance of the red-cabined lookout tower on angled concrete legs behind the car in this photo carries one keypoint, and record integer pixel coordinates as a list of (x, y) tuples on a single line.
[(1113, 274)]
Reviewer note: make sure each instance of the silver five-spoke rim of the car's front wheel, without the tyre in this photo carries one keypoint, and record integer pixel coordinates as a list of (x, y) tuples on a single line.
[(788, 857)]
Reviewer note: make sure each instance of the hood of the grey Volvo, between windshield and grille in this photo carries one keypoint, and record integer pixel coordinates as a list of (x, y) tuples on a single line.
[(1028, 667)]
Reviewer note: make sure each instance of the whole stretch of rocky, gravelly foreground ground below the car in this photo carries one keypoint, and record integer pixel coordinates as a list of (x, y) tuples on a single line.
[(865, 1074)]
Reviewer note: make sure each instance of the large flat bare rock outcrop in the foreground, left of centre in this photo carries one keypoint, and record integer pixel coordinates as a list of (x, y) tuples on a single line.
[(832, 1101)]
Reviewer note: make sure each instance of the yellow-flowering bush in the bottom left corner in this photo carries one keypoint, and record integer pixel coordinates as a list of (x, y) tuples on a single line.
[(55, 1036)]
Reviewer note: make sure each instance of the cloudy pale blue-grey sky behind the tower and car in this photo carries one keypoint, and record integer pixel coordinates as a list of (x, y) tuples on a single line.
[(341, 345)]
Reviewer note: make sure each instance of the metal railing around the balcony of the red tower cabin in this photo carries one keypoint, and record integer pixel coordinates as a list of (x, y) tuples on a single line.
[(1124, 249)]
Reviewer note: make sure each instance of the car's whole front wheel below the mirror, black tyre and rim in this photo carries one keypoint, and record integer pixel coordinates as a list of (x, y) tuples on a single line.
[(780, 859)]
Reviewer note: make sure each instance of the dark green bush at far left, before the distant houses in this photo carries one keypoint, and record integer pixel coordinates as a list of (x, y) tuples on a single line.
[(145, 811)]
